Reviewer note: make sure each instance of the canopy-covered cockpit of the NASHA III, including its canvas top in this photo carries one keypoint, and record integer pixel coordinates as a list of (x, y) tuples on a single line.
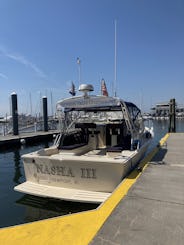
[(99, 122)]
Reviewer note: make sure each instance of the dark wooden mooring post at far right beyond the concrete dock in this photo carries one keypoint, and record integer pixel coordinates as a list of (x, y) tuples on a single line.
[(172, 116)]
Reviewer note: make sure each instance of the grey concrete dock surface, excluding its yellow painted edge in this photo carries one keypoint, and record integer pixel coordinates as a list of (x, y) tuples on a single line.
[(153, 210)]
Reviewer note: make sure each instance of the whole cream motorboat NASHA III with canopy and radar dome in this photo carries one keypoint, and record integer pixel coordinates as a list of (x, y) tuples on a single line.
[(102, 139)]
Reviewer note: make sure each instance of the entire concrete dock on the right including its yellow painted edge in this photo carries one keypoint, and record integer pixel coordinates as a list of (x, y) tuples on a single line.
[(146, 208)]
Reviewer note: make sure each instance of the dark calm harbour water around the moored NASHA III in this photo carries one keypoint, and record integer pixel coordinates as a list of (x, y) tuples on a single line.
[(17, 208)]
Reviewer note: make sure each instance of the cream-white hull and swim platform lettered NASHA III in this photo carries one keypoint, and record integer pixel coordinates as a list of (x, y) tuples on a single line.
[(86, 178)]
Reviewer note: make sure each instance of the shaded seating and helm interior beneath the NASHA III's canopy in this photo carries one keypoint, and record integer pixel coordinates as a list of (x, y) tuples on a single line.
[(110, 136)]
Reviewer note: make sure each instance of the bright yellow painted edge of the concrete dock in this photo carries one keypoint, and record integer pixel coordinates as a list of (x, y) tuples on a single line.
[(74, 229)]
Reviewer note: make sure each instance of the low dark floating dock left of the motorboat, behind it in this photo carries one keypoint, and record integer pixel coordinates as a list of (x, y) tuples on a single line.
[(9, 141)]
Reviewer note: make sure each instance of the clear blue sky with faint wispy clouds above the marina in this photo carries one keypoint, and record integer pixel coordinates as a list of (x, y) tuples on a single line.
[(40, 41)]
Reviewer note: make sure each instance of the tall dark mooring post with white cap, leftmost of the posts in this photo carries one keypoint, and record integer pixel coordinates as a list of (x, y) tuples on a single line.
[(14, 113)]
